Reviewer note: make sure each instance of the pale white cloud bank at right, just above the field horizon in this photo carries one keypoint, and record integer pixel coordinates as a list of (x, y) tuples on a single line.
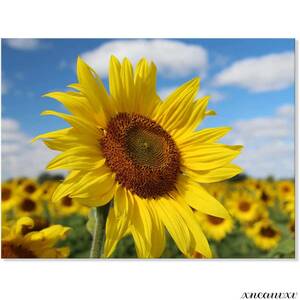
[(268, 142)]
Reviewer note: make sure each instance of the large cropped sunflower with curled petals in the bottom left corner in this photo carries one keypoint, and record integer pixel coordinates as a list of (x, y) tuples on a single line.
[(19, 241)]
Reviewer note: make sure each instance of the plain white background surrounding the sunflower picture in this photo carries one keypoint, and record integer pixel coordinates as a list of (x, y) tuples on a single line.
[(155, 279)]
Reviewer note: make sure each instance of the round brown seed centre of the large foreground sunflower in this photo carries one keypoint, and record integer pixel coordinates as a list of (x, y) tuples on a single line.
[(142, 154)]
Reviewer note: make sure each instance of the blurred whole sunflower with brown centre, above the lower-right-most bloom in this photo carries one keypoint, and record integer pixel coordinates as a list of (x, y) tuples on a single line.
[(243, 206)]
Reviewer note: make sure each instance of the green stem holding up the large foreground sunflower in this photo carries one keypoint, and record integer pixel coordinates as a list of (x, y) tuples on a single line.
[(101, 213)]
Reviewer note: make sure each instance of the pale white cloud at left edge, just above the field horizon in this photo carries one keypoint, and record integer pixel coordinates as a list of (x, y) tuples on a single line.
[(19, 156)]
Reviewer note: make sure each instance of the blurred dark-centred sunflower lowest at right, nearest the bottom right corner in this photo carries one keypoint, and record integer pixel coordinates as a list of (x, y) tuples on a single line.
[(264, 234)]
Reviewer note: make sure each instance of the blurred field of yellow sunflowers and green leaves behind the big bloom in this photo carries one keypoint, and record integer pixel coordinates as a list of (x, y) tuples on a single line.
[(262, 223)]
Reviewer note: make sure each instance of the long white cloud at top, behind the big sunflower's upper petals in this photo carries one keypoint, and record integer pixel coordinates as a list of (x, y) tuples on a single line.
[(173, 58)]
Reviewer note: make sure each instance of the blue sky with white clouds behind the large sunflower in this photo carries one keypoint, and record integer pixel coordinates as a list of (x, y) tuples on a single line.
[(251, 82)]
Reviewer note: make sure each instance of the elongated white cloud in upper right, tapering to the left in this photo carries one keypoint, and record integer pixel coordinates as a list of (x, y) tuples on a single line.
[(260, 74)]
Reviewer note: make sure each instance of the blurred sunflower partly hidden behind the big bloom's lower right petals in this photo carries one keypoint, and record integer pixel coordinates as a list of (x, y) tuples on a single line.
[(214, 227)]
